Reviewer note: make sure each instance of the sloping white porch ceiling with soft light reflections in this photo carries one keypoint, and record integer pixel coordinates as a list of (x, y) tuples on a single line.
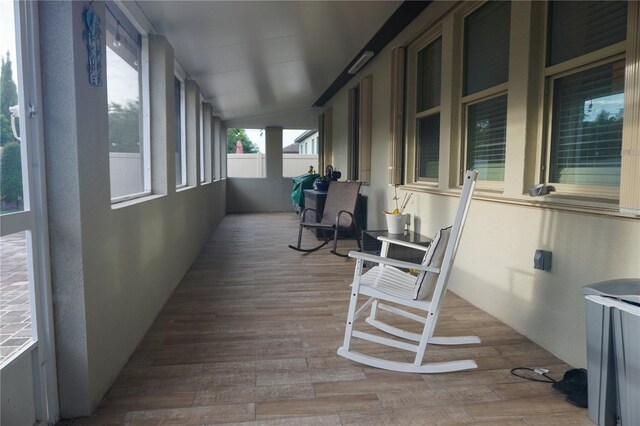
[(264, 63)]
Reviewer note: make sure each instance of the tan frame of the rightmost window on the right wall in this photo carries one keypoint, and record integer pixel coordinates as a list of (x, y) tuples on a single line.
[(551, 74)]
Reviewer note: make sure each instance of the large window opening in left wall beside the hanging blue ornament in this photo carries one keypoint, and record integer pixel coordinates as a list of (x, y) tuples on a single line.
[(129, 149)]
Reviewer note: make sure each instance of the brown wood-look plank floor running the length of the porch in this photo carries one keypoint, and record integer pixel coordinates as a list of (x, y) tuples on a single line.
[(250, 337)]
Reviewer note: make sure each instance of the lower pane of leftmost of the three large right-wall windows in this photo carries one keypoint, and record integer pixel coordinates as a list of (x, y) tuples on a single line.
[(428, 130)]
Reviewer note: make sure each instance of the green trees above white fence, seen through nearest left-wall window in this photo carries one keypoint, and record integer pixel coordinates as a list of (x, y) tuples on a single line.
[(124, 127)]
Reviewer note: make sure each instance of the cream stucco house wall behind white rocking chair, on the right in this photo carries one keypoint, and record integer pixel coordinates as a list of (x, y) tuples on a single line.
[(494, 269)]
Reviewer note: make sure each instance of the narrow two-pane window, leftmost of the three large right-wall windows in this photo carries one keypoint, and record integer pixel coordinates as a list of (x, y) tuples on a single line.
[(428, 82)]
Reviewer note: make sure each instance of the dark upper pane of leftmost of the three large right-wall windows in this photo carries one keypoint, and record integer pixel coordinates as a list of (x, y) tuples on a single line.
[(429, 76)]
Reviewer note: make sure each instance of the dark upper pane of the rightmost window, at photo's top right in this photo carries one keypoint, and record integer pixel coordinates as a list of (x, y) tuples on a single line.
[(577, 28)]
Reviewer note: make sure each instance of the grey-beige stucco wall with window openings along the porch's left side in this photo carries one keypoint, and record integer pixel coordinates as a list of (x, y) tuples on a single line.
[(113, 266)]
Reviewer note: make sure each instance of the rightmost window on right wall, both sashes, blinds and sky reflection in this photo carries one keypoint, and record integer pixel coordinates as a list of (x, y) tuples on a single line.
[(586, 70)]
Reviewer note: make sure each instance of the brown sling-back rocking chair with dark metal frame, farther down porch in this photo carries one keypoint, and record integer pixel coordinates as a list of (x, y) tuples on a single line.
[(338, 216)]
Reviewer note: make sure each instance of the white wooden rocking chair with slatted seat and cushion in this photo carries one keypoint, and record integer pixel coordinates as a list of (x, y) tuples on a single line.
[(387, 282)]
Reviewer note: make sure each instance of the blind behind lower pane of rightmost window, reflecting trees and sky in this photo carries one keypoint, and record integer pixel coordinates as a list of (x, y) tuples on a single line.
[(587, 121)]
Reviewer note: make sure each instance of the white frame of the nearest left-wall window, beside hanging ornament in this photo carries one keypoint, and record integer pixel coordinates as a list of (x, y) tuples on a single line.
[(145, 116)]
